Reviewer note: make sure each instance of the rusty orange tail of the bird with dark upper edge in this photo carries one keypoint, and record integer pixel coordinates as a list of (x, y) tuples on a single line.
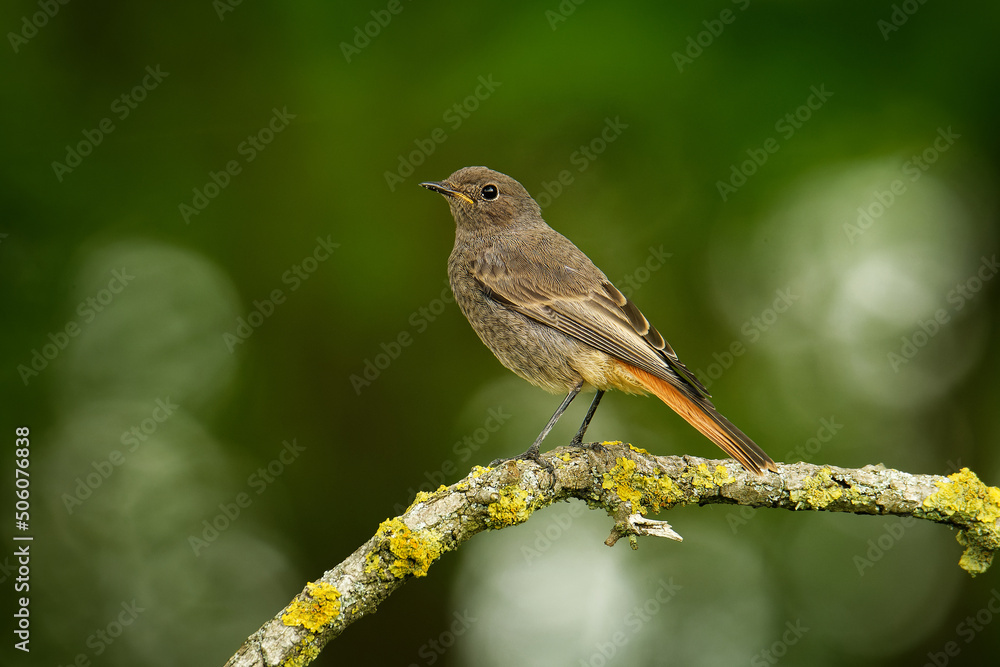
[(700, 413)]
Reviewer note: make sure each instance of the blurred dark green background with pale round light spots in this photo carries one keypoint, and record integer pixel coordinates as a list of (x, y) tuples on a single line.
[(228, 328)]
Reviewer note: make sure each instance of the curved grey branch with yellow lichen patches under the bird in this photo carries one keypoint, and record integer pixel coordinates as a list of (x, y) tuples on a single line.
[(625, 481)]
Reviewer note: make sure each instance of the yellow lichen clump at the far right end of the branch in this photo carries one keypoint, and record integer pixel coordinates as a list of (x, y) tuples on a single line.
[(976, 506)]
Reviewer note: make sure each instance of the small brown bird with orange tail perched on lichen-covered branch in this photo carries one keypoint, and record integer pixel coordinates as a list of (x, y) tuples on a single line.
[(551, 316)]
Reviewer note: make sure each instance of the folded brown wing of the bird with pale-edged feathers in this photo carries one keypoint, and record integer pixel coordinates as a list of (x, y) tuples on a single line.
[(568, 293)]
